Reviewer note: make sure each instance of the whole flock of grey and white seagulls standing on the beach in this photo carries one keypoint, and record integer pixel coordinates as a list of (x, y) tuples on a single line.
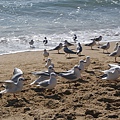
[(48, 79)]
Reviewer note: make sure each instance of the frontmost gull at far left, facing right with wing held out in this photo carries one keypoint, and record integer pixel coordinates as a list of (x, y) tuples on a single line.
[(13, 87)]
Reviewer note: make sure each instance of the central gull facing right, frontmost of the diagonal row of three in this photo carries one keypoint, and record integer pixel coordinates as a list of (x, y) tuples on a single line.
[(73, 75)]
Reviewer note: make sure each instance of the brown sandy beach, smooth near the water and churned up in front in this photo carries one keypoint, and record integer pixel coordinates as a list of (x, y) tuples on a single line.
[(91, 98)]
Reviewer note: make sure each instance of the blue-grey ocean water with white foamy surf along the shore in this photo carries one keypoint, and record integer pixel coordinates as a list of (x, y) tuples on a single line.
[(58, 20)]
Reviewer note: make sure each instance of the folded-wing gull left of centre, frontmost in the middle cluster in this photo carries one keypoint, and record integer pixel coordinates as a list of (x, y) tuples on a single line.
[(49, 83)]
